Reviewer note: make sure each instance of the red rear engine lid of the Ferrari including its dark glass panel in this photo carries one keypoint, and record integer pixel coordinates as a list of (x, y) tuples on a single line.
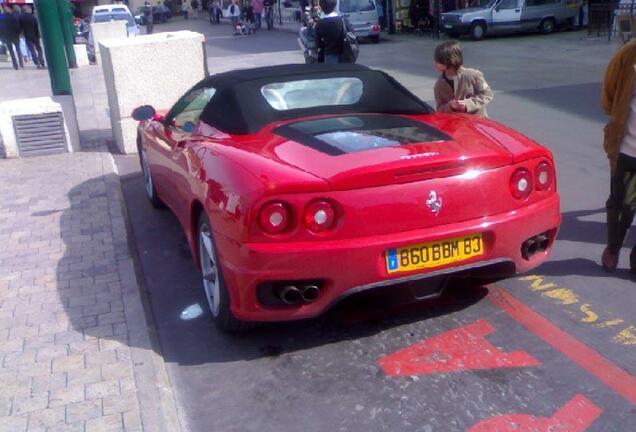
[(356, 151)]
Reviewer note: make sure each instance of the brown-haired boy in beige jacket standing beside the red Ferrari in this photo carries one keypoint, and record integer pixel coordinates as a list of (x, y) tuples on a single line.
[(459, 89)]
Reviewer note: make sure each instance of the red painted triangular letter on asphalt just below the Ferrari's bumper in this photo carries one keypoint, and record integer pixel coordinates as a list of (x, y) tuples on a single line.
[(460, 349)]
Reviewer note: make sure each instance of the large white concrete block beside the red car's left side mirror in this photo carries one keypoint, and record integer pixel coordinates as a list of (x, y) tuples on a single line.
[(152, 70)]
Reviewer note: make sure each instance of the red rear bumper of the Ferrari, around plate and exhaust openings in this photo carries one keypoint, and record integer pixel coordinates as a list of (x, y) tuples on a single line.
[(352, 265)]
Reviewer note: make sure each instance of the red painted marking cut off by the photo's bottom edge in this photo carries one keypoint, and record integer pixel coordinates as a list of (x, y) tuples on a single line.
[(575, 416)]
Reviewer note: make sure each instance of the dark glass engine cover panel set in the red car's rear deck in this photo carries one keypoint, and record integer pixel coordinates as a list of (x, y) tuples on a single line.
[(356, 133)]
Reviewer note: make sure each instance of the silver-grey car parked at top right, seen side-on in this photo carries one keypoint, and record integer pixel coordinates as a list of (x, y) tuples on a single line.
[(509, 16)]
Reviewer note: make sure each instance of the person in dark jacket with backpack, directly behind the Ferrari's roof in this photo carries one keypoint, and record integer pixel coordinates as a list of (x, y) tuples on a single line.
[(330, 32)]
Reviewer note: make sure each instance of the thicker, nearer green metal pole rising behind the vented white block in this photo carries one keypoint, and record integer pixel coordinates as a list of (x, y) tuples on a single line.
[(53, 42)]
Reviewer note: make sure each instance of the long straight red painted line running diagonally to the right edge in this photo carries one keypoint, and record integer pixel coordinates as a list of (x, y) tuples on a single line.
[(614, 377)]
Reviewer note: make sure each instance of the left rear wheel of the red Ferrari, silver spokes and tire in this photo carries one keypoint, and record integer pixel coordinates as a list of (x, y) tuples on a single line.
[(214, 287)]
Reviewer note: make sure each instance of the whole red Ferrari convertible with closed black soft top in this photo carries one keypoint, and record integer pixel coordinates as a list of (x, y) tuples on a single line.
[(298, 185)]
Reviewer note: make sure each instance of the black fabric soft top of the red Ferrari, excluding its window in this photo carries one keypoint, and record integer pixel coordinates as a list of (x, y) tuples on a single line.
[(238, 107)]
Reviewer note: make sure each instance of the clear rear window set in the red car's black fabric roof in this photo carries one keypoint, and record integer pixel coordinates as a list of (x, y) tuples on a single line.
[(312, 93)]
